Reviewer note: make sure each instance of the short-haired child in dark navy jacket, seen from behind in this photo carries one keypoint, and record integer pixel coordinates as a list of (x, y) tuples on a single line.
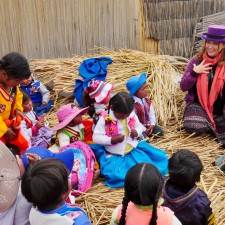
[(189, 203)]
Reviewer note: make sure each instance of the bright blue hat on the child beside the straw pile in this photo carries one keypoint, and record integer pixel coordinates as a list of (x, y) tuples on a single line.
[(135, 83)]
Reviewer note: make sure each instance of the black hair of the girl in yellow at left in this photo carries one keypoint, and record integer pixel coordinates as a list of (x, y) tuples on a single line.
[(15, 65)]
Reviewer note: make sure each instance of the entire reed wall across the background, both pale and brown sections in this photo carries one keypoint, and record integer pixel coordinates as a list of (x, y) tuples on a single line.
[(60, 28)]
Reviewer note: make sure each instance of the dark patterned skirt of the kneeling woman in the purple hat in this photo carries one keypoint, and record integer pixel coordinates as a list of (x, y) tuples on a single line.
[(196, 120)]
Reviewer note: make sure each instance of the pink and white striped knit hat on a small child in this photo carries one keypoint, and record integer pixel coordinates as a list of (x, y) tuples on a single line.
[(99, 90)]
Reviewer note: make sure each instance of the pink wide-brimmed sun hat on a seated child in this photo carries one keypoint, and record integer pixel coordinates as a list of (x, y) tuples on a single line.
[(66, 114)]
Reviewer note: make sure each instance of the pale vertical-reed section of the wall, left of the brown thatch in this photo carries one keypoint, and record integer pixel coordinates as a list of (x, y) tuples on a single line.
[(60, 28)]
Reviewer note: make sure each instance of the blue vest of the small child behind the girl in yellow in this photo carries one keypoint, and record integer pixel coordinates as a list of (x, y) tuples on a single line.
[(33, 91)]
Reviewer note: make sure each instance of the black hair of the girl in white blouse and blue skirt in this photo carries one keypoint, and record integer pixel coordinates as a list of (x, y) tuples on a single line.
[(122, 103)]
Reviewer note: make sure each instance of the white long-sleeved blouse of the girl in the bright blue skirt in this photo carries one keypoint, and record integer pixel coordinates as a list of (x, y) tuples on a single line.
[(99, 135)]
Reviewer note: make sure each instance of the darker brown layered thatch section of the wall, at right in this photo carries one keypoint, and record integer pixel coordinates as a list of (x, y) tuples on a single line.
[(173, 23)]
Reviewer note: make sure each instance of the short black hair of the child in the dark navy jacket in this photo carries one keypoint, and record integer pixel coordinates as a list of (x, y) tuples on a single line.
[(185, 168)]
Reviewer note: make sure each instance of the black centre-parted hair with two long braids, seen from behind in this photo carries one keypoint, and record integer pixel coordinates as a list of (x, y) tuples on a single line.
[(143, 186)]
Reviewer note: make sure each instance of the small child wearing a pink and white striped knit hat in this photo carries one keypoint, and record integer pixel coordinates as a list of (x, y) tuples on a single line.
[(97, 96)]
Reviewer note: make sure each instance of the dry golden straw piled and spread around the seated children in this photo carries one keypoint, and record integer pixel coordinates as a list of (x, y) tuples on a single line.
[(168, 100)]
